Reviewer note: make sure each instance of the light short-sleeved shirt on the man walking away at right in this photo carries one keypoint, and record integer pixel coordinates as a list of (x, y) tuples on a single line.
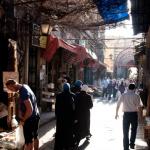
[(130, 101)]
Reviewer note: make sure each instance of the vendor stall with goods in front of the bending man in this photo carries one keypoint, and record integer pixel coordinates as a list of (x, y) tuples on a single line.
[(11, 134)]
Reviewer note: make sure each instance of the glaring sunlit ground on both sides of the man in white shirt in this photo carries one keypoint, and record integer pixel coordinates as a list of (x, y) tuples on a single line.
[(107, 131)]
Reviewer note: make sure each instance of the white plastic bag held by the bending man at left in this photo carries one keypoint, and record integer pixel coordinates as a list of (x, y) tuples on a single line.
[(20, 141)]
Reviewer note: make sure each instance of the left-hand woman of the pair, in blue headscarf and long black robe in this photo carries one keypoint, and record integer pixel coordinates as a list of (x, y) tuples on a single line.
[(64, 111)]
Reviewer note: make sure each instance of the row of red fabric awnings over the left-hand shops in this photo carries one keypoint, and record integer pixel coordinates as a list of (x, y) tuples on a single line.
[(77, 53)]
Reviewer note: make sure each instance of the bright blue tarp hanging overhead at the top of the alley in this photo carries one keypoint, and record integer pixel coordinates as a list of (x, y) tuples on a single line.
[(112, 11)]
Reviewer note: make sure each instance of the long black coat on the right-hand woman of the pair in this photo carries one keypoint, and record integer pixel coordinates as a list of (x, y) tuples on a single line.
[(83, 104)]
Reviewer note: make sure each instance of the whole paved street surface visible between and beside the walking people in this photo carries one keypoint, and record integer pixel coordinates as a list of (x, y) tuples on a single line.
[(106, 130)]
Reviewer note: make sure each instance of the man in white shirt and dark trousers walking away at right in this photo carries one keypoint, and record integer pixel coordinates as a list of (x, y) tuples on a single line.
[(131, 102)]
